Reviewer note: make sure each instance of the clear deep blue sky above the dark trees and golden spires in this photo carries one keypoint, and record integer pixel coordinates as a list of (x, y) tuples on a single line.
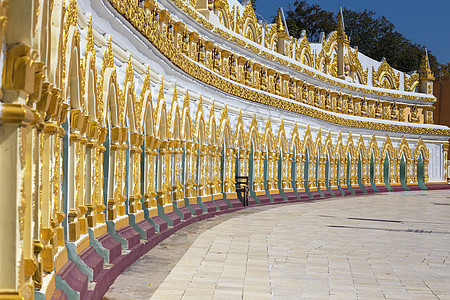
[(424, 22)]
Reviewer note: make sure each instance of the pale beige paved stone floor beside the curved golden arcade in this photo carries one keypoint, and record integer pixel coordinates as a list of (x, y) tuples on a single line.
[(385, 246)]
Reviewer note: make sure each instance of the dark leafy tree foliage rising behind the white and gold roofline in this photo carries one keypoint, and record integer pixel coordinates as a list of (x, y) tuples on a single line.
[(374, 36)]
